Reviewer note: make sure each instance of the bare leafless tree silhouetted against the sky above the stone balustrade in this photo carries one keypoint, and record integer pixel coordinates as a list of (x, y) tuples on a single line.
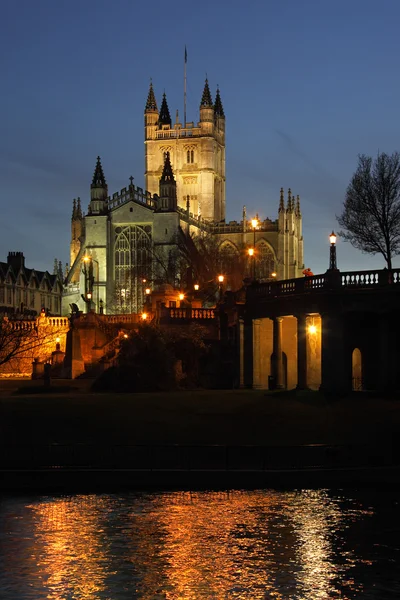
[(371, 212)]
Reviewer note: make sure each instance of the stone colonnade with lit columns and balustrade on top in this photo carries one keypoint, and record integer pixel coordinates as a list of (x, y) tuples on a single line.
[(338, 332)]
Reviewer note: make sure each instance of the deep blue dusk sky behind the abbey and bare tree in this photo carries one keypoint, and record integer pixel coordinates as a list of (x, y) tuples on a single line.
[(306, 85)]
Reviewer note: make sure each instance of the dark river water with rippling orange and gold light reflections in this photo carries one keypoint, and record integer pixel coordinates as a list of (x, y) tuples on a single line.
[(308, 544)]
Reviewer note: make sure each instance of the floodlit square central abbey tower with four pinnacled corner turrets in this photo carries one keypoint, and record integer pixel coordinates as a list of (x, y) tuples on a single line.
[(196, 154)]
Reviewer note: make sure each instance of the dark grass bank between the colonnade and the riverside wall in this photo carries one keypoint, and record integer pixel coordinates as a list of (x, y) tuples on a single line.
[(77, 415)]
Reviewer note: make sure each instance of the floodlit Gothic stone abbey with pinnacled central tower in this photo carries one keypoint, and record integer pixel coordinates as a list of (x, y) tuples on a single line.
[(133, 240)]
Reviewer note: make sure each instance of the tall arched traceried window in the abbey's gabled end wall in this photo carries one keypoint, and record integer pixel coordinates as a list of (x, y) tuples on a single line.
[(133, 263)]
